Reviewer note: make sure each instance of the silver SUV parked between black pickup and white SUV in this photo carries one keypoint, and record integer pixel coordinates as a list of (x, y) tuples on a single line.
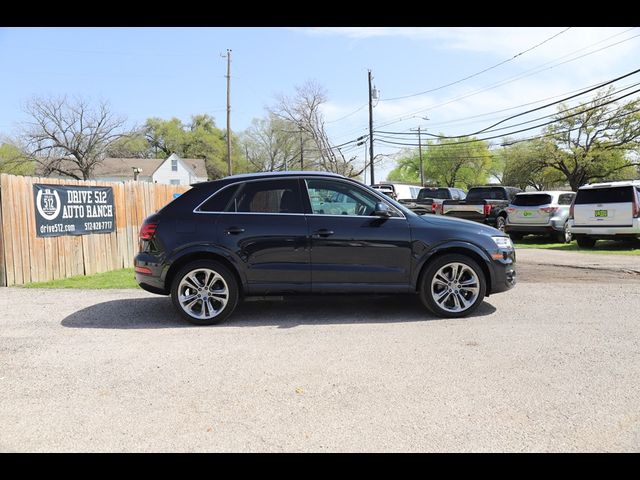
[(540, 213)]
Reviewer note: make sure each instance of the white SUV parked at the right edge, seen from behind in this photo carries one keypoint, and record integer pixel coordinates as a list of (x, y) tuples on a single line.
[(605, 211)]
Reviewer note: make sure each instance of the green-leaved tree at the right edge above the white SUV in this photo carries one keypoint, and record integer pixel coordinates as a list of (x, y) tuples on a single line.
[(595, 141)]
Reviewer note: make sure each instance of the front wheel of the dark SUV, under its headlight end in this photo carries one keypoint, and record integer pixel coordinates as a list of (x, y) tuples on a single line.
[(436, 281)]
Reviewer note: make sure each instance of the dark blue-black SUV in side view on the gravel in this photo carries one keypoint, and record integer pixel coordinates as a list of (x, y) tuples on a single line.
[(313, 232)]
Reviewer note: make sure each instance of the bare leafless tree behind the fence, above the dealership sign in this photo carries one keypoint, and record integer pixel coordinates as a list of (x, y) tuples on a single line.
[(69, 137)]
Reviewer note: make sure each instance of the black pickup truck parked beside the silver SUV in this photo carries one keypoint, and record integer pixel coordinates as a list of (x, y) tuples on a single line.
[(486, 204)]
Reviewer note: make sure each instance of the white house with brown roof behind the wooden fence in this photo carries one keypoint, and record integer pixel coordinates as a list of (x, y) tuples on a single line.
[(173, 170)]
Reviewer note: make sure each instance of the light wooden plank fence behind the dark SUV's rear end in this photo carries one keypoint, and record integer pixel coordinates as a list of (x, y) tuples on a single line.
[(25, 257)]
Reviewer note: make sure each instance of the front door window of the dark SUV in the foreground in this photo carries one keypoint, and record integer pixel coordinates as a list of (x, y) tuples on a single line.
[(337, 198)]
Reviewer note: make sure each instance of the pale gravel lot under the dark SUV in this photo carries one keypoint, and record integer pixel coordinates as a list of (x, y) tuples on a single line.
[(544, 367)]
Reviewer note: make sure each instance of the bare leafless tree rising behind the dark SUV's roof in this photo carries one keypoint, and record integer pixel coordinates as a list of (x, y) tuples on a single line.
[(304, 111)]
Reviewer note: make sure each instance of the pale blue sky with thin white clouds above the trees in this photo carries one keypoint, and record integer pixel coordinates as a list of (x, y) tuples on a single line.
[(179, 72)]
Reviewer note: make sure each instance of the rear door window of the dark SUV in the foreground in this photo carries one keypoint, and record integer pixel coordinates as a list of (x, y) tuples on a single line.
[(268, 196)]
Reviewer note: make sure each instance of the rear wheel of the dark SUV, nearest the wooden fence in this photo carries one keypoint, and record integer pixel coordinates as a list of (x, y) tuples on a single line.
[(221, 290)]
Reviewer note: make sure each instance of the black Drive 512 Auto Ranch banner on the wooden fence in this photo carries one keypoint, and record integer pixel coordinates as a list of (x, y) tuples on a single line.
[(73, 210)]
